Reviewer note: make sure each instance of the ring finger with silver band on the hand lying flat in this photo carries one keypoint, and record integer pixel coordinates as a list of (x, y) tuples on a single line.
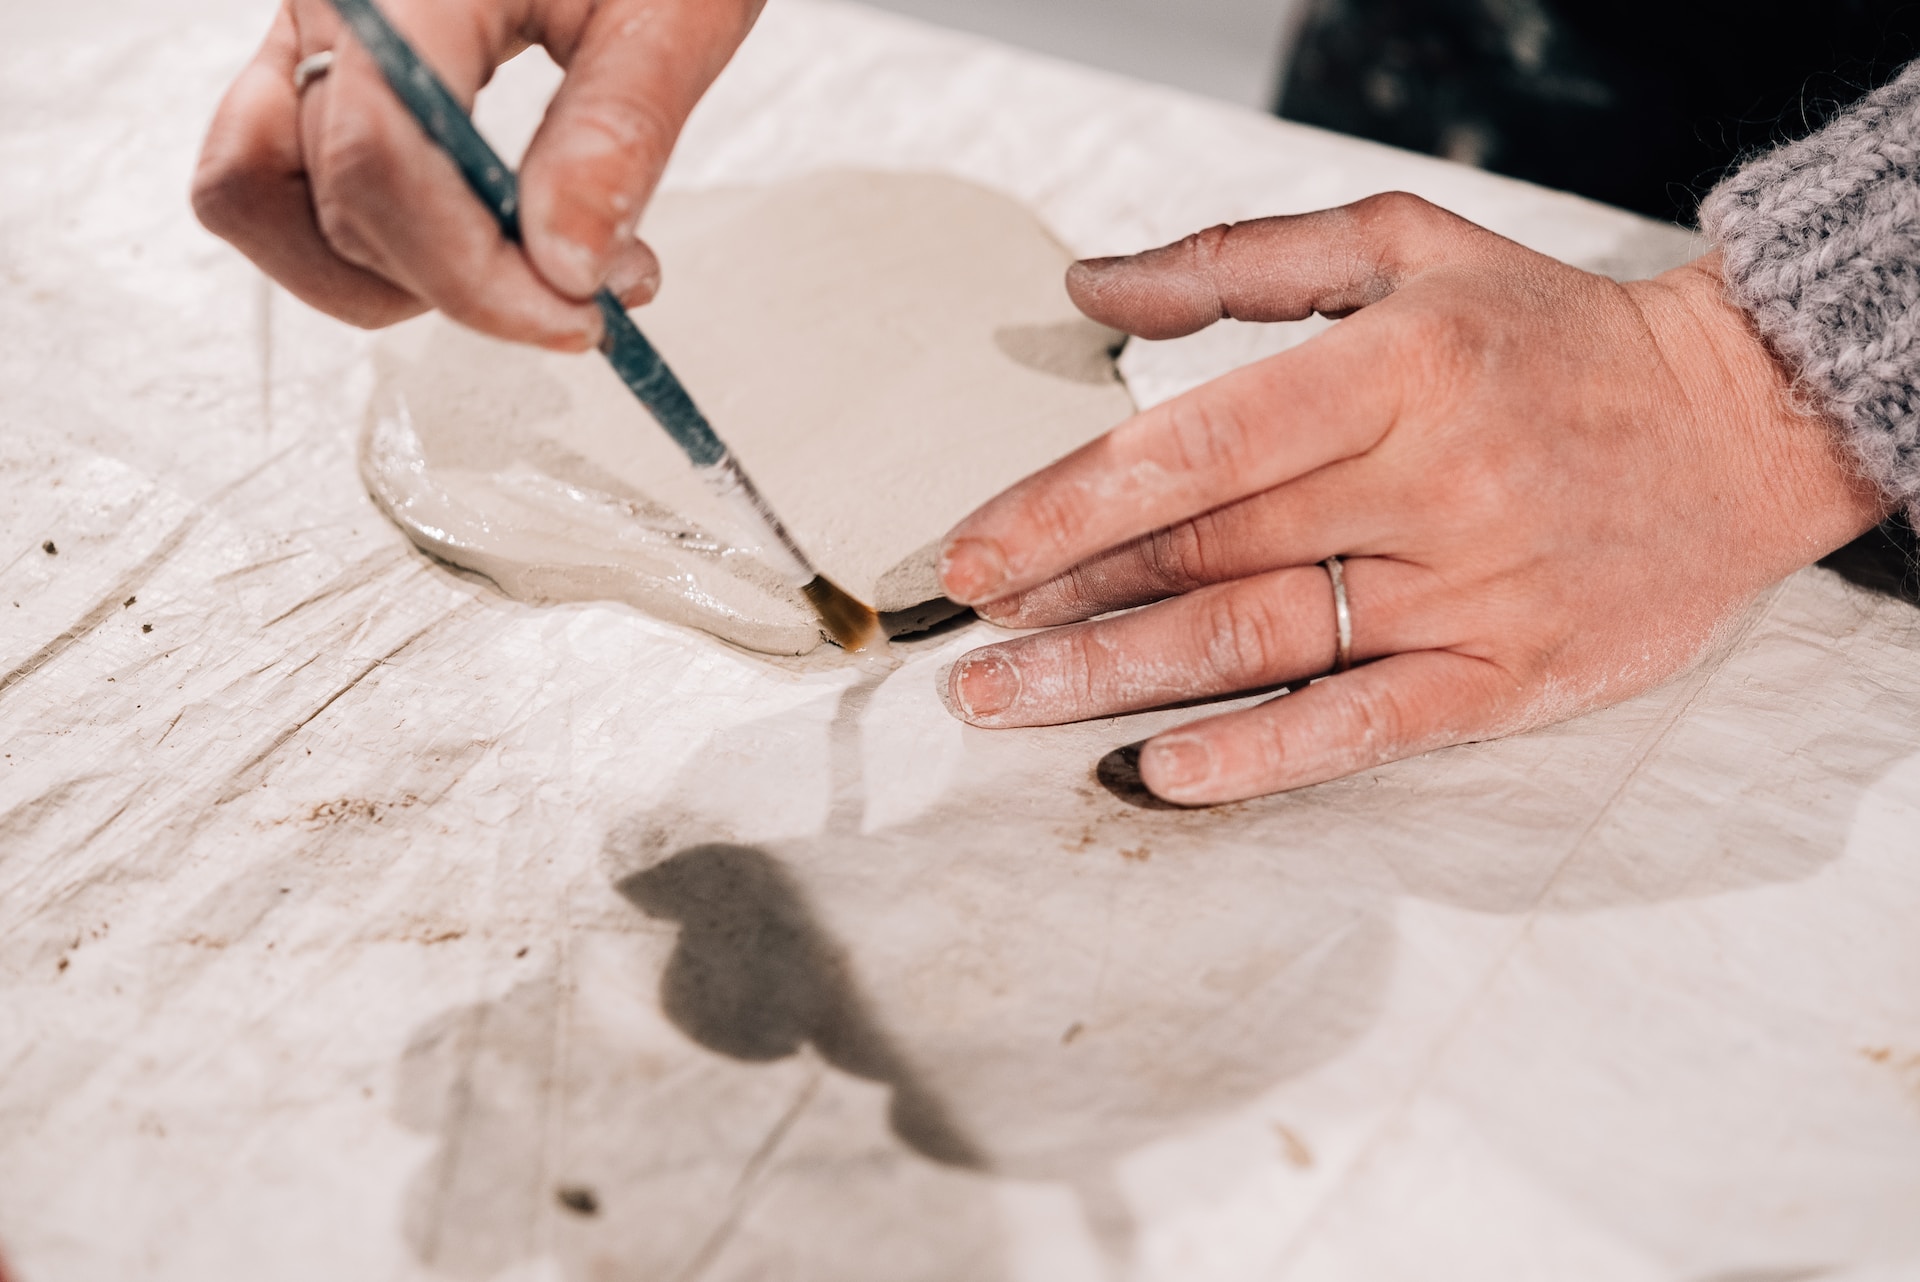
[(1259, 632)]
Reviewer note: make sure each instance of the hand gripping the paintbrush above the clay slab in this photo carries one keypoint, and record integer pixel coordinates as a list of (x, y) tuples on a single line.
[(341, 197)]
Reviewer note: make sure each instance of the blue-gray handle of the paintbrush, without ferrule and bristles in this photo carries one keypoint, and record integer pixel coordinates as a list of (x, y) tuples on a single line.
[(446, 122)]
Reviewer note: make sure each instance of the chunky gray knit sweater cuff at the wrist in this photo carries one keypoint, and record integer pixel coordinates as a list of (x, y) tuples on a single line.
[(1821, 243)]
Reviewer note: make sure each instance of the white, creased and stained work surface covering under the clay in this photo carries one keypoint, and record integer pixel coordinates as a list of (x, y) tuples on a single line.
[(352, 914)]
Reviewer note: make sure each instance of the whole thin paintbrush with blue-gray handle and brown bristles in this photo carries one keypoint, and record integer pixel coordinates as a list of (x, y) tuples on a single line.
[(635, 360)]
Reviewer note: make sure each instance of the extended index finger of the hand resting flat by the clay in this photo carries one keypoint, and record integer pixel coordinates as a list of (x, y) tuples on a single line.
[(1245, 433)]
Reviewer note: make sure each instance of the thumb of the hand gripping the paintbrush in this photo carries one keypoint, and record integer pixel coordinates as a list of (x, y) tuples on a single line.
[(635, 70)]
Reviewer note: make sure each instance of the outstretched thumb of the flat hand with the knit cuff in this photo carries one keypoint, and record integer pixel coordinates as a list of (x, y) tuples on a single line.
[(1333, 262)]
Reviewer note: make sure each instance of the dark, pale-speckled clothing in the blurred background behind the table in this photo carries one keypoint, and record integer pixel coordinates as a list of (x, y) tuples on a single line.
[(1631, 103)]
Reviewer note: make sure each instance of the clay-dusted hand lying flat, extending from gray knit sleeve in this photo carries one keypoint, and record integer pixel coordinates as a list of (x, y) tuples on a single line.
[(1550, 490)]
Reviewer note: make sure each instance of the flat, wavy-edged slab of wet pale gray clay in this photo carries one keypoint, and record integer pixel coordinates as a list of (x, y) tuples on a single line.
[(882, 352)]
